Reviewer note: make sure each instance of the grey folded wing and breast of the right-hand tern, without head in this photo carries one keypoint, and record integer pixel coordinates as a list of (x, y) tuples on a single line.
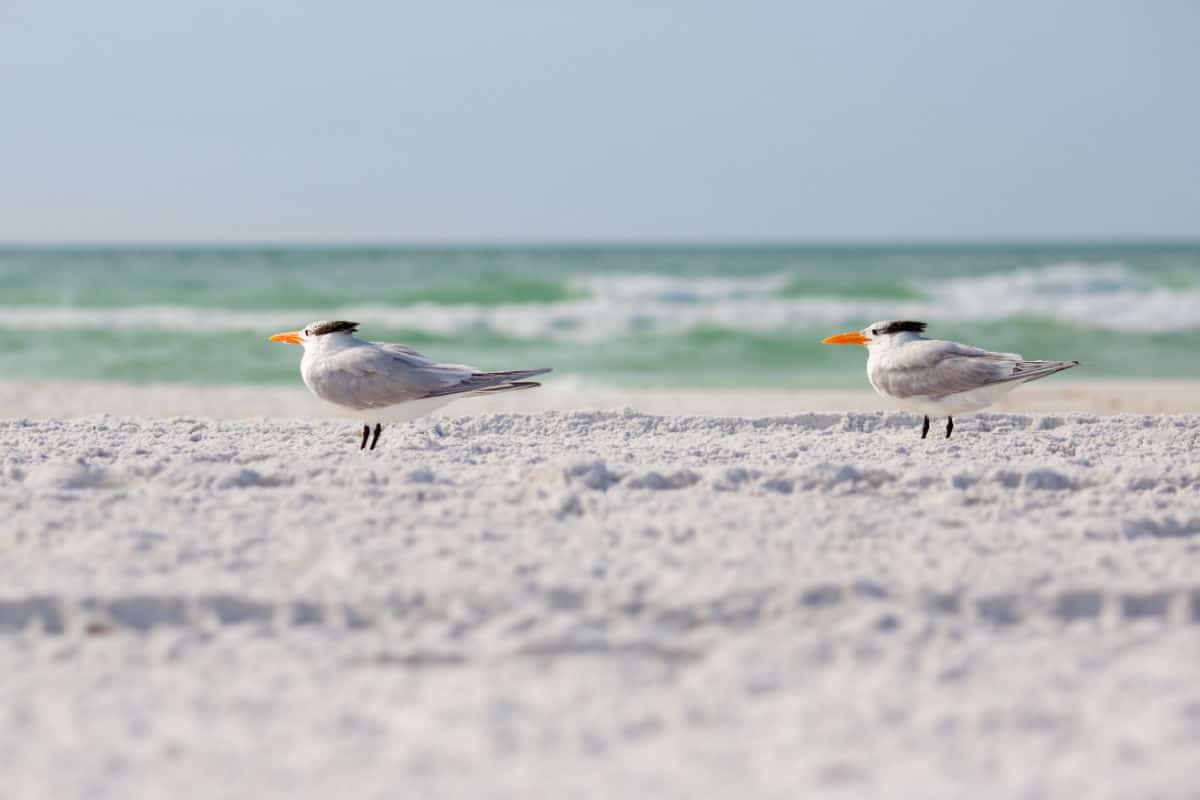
[(937, 369)]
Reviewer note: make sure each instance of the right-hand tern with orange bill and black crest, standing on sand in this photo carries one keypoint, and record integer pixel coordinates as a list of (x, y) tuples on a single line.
[(939, 378)]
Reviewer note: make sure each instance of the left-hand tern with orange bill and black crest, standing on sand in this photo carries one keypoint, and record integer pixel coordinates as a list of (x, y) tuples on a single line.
[(377, 382)]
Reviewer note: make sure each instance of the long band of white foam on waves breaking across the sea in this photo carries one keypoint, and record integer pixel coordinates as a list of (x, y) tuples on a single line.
[(1103, 297)]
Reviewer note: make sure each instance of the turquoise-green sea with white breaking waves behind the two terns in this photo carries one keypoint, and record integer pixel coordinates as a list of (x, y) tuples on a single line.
[(663, 316)]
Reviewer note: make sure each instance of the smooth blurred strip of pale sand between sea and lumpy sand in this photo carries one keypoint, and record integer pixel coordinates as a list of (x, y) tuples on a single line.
[(65, 400)]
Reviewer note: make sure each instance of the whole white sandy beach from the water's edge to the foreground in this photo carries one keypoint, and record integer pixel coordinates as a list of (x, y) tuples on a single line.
[(650, 603)]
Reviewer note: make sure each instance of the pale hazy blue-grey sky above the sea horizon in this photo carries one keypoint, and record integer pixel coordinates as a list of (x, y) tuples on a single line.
[(530, 122)]
